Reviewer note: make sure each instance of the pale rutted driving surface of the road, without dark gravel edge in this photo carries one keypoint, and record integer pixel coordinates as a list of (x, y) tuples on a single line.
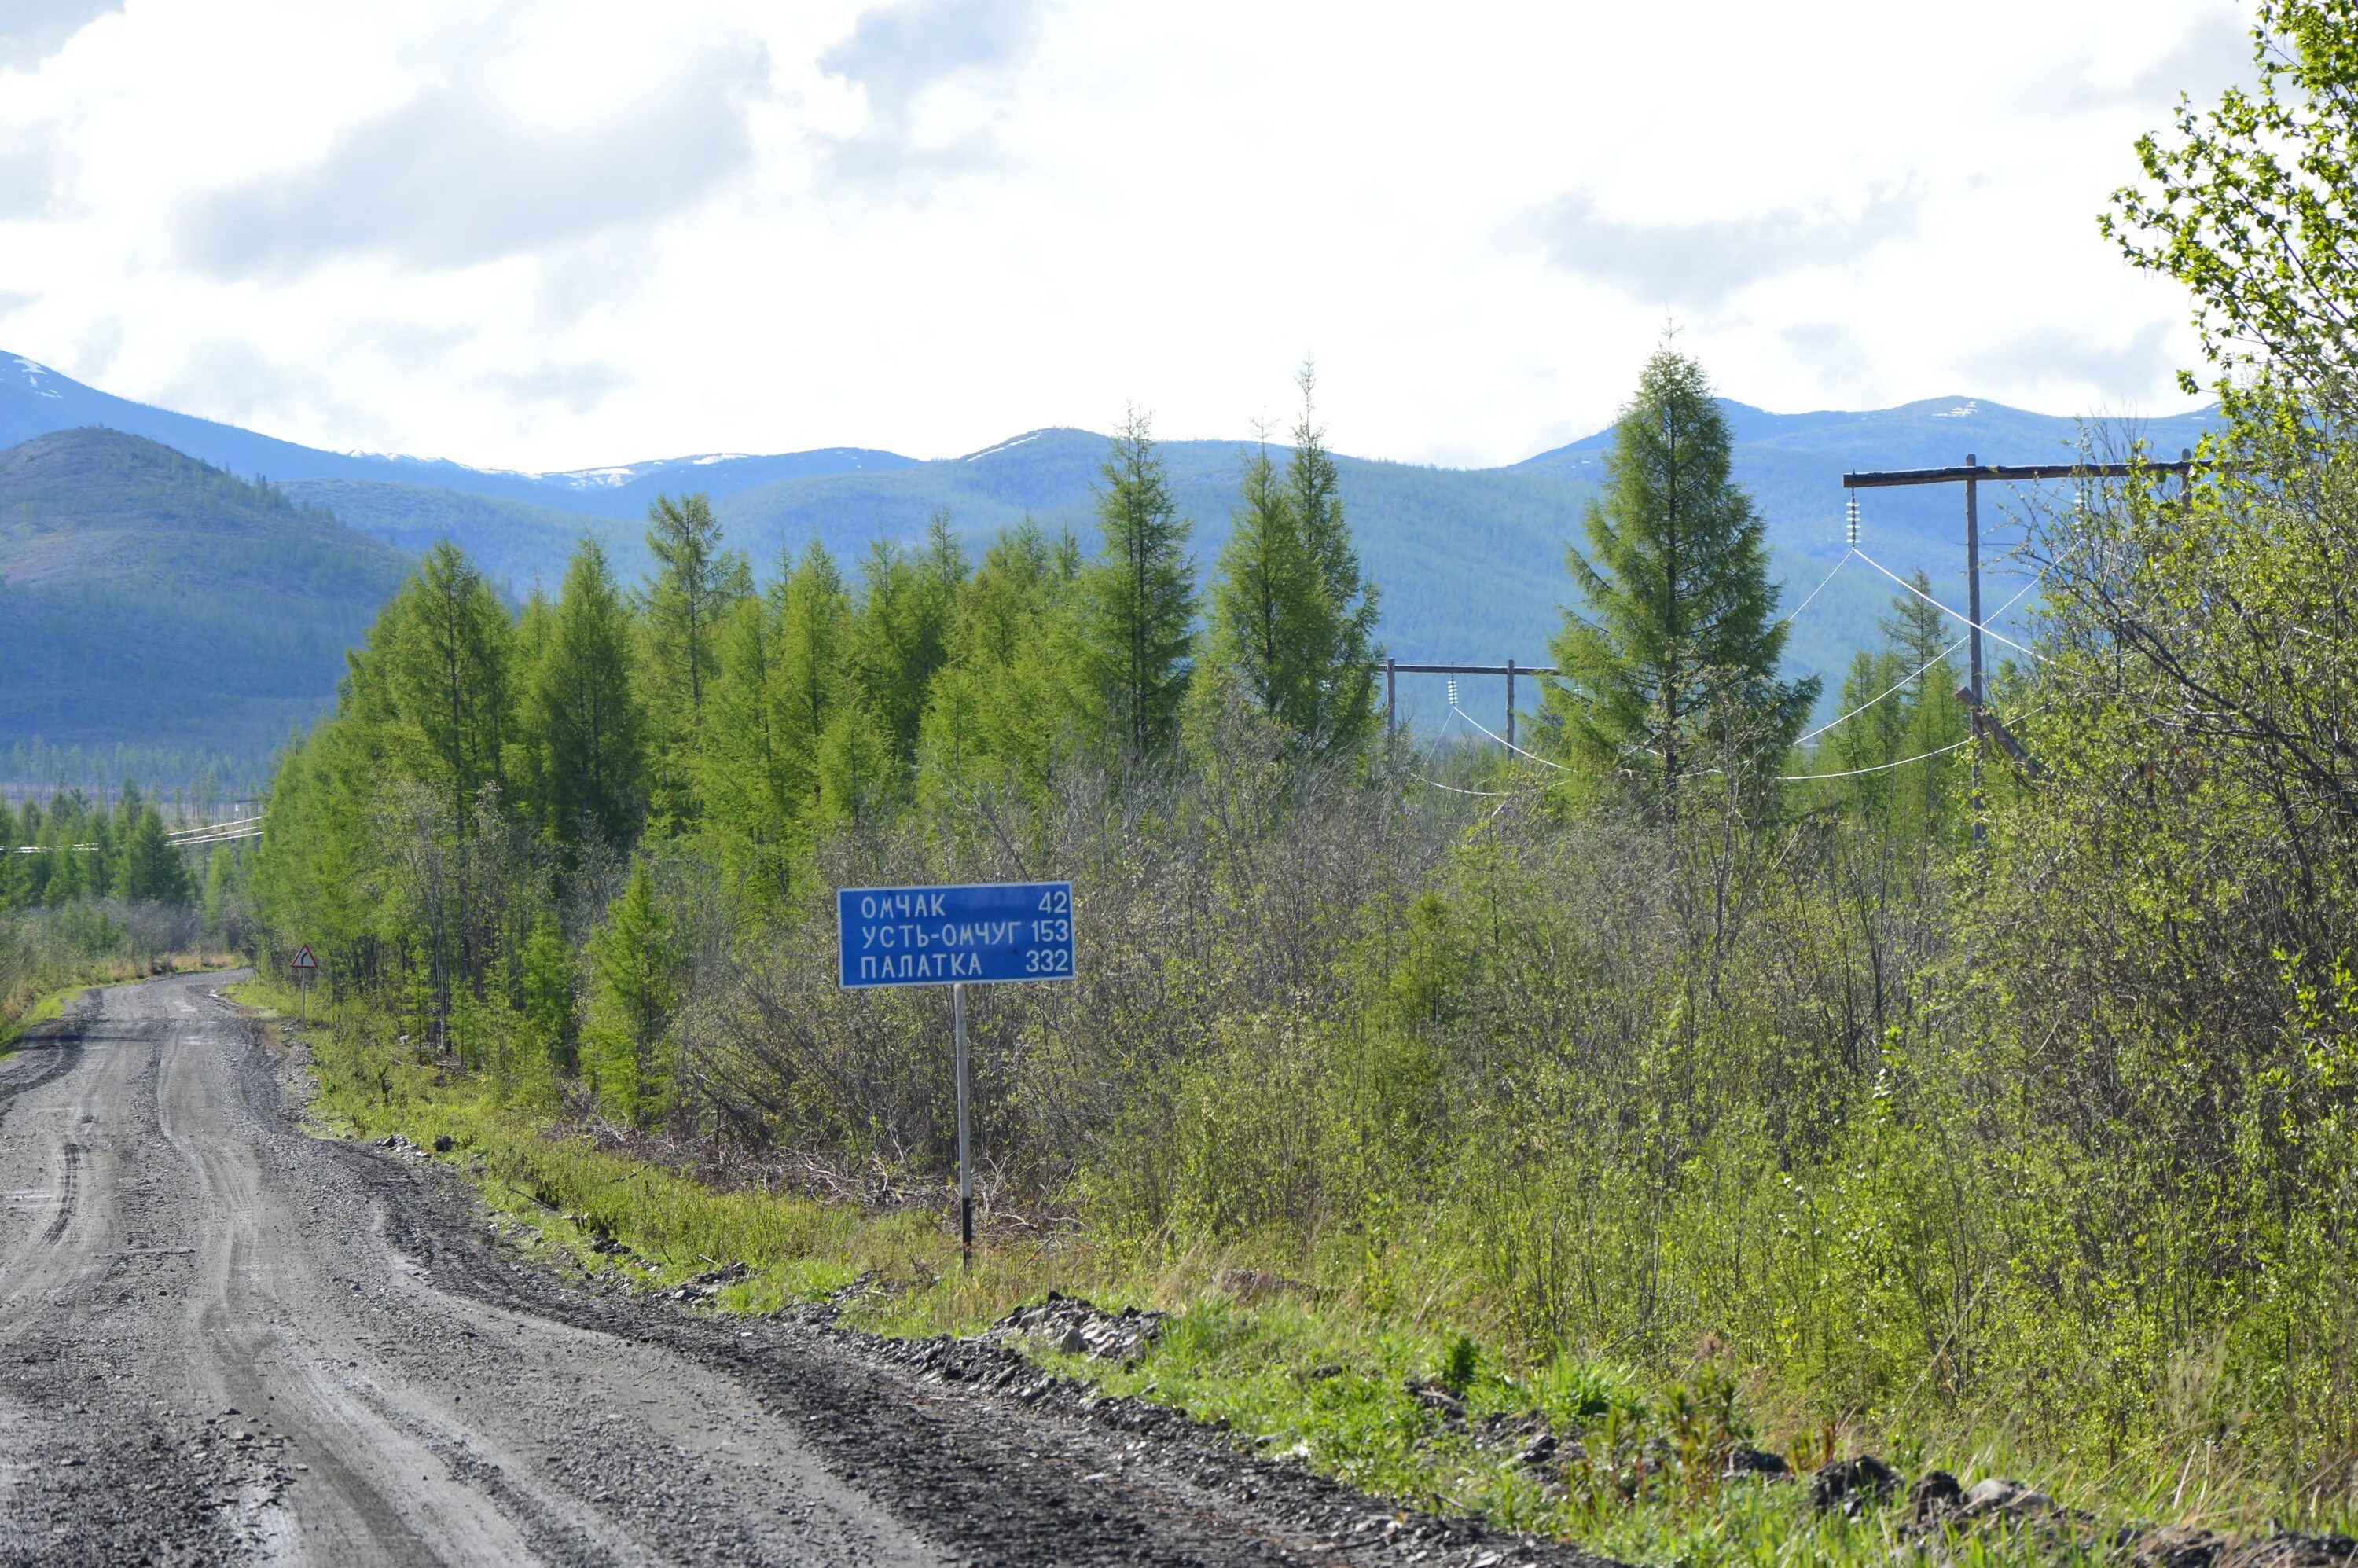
[(220, 1357)]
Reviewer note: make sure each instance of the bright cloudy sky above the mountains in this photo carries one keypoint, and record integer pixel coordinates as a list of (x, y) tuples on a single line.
[(577, 232)]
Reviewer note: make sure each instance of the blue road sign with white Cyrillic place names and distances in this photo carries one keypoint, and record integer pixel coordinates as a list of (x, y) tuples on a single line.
[(956, 935)]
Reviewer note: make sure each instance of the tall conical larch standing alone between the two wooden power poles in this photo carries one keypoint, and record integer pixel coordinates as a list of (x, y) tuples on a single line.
[(1671, 666)]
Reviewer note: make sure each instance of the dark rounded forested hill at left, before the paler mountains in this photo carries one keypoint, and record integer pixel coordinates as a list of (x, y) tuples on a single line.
[(145, 595)]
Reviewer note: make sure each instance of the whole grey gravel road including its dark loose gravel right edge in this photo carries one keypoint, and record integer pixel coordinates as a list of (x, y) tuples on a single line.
[(225, 1340)]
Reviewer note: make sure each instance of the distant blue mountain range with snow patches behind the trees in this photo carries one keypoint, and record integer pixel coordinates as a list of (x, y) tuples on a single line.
[(1470, 562)]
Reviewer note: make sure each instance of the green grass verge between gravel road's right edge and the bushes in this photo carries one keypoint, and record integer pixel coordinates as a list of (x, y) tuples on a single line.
[(1366, 1373)]
